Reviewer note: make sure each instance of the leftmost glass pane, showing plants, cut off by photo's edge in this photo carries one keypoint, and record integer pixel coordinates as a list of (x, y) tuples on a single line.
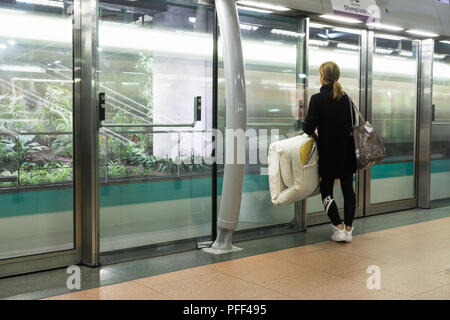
[(36, 150)]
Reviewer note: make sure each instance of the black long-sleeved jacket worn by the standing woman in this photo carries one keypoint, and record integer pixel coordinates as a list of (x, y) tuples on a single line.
[(335, 144)]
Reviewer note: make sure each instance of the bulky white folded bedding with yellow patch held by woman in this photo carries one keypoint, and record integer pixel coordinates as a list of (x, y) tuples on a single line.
[(293, 169)]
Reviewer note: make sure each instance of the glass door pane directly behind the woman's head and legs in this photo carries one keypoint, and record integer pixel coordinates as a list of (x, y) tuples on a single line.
[(344, 47)]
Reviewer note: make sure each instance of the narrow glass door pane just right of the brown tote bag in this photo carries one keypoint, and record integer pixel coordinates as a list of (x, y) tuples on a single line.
[(393, 115)]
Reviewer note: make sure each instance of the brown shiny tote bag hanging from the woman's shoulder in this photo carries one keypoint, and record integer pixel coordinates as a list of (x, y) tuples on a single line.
[(369, 148)]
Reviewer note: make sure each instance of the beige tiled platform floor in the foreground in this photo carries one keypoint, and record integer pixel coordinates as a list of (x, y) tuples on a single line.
[(412, 260)]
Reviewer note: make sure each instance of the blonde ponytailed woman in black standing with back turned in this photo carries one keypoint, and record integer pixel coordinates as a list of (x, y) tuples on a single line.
[(329, 120)]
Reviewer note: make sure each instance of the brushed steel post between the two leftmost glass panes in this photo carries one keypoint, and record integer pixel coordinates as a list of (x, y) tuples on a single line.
[(89, 132)]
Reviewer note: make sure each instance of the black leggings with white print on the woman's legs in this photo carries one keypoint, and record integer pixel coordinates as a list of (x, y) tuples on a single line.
[(326, 189)]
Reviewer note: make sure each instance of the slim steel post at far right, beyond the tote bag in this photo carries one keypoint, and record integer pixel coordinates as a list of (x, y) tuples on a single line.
[(425, 114)]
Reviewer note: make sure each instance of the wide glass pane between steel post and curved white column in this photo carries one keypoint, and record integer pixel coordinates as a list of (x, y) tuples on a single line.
[(154, 58)]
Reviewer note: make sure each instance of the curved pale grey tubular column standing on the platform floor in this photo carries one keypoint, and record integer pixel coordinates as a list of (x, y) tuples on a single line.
[(235, 120)]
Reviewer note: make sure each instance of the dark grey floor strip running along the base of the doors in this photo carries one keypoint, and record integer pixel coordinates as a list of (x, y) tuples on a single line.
[(53, 282)]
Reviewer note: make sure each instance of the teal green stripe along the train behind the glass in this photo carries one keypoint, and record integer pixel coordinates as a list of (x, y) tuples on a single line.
[(47, 201)]
